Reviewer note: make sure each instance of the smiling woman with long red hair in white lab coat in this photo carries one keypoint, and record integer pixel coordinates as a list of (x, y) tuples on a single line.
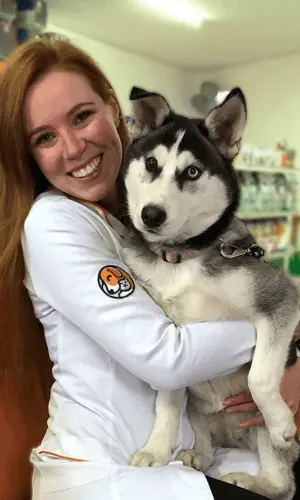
[(62, 141)]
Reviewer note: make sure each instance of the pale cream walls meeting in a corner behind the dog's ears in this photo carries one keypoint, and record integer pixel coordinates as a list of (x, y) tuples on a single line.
[(272, 87)]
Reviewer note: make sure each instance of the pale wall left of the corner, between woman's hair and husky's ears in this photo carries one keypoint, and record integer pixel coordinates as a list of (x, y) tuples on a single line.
[(125, 69)]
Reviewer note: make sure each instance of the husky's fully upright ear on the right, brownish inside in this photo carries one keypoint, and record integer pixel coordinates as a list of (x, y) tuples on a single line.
[(226, 123)]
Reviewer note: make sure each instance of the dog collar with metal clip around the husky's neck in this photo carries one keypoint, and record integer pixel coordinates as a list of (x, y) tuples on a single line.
[(227, 250)]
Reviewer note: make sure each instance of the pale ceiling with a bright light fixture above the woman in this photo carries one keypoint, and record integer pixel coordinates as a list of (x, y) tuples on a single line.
[(238, 31)]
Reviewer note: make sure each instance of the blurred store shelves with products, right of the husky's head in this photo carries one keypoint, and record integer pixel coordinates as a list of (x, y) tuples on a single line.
[(268, 180)]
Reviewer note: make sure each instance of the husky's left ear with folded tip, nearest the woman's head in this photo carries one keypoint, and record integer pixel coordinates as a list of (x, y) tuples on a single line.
[(149, 110)]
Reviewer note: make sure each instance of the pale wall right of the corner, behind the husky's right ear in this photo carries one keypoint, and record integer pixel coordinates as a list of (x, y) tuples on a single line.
[(272, 89)]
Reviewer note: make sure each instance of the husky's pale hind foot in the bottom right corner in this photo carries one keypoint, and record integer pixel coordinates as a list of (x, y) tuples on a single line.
[(276, 479)]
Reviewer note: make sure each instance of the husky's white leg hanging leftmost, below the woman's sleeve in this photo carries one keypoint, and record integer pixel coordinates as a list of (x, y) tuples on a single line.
[(163, 438)]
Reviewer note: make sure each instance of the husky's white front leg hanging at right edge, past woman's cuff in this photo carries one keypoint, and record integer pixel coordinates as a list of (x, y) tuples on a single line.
[(270, 356)]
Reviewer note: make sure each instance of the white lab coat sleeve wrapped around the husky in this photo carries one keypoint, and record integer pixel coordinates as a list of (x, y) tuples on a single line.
[(64, 252)]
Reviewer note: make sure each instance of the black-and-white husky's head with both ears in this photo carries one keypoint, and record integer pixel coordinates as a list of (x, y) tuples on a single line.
[(178, 171)]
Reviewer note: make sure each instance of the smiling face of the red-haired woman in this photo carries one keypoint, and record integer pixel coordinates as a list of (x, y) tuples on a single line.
[(73, 136)]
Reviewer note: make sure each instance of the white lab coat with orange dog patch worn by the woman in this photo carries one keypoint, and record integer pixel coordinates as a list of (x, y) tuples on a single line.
[(109, 351)]
